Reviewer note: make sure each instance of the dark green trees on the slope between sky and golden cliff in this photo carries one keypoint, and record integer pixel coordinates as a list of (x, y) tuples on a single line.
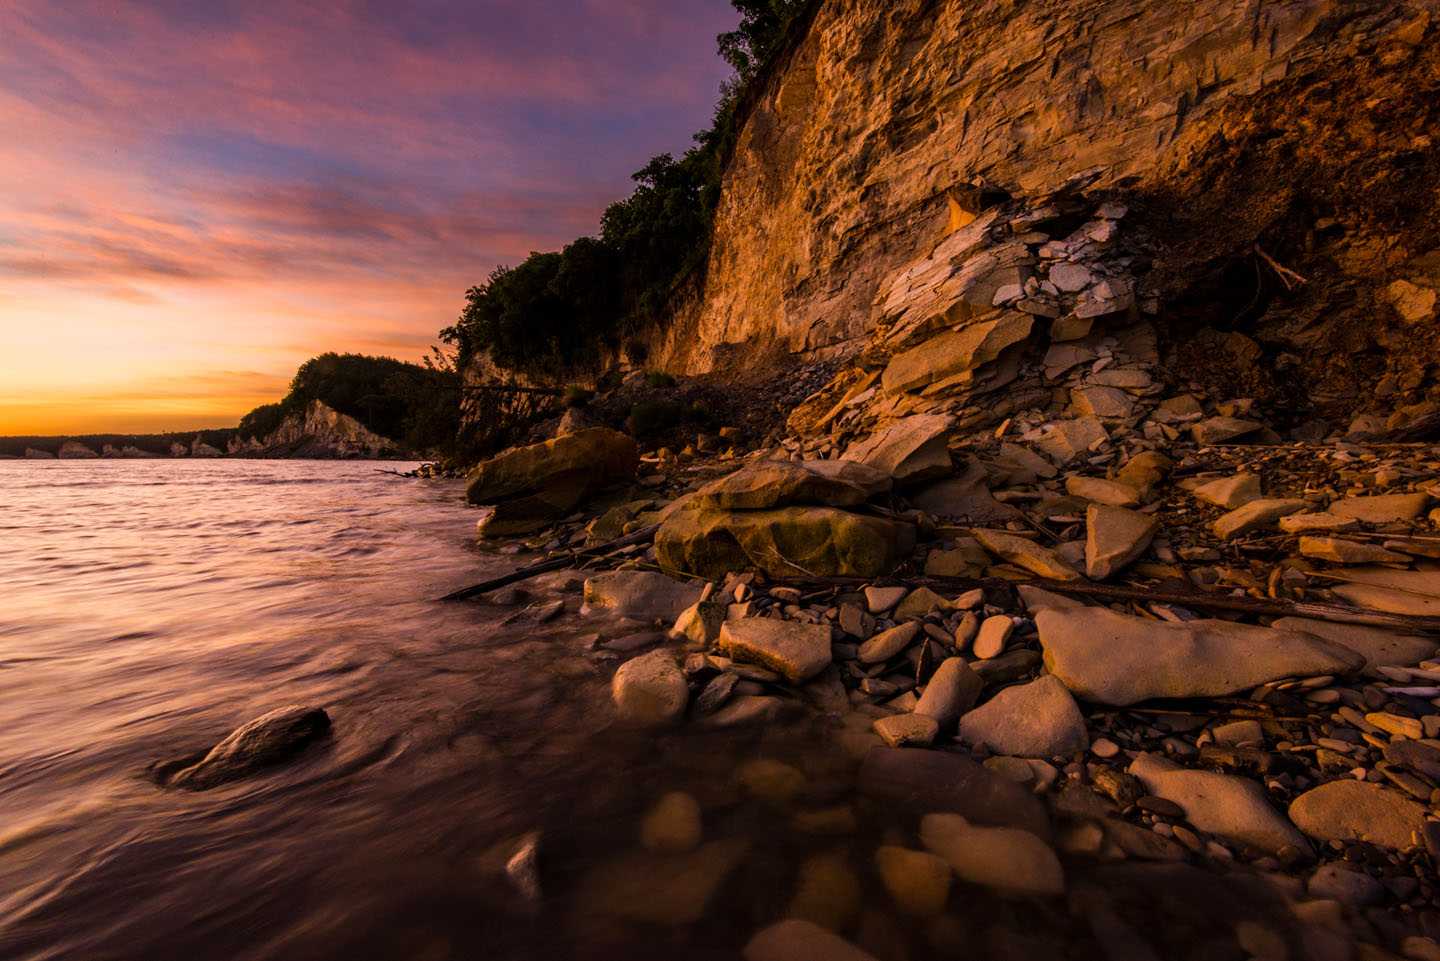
[(559, 312)]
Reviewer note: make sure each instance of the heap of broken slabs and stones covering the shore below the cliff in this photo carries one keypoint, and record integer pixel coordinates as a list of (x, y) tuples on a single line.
[(1076, 625)]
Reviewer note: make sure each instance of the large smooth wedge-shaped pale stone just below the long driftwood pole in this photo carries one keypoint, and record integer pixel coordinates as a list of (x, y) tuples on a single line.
[(1117, 659)]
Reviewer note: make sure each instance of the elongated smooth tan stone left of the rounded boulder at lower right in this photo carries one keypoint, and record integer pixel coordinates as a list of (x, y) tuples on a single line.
[(1220, 805)]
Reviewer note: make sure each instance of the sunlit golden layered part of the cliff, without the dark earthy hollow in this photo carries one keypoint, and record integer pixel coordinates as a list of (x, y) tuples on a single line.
[(842, 171)]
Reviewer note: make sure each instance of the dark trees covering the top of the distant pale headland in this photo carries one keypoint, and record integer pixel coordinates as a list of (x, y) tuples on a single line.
[(410, 404)]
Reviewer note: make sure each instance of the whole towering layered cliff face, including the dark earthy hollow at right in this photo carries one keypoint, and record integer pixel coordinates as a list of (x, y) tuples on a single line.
[(1302, 126)]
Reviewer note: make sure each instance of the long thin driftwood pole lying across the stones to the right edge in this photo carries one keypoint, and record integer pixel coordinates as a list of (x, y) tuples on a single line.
[(1245, 604)]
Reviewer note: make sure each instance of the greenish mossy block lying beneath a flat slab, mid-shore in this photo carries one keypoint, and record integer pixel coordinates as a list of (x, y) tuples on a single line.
[(784, 542)]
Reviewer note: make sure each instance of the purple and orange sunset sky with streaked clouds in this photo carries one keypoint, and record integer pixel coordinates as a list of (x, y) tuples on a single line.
[(199, 195)]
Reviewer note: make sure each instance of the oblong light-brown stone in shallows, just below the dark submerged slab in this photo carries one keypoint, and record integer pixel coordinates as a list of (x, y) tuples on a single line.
[(1004, 858)]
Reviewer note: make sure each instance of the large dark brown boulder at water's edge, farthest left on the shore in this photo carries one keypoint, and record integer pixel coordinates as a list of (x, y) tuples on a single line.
[(534, 486)]
